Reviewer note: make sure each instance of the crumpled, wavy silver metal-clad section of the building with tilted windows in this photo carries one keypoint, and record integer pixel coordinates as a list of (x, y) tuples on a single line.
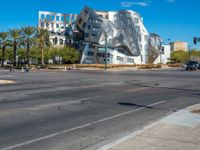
[(122, 32)]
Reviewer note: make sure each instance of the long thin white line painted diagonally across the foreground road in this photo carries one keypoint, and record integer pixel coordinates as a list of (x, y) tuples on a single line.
[(76, 128)]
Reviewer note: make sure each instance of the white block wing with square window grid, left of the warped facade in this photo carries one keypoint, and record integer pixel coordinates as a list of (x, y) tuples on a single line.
[(57, 25)]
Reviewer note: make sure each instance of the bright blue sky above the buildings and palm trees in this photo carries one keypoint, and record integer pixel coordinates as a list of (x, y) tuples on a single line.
[(178, 20)]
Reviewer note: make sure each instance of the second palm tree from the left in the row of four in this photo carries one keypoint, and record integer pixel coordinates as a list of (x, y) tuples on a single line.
[(15, 36)]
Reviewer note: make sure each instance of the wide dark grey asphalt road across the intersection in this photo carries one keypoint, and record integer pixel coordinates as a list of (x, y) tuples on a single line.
[(72, 110)]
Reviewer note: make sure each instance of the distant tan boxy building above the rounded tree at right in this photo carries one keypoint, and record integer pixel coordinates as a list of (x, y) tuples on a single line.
[(179, 46)]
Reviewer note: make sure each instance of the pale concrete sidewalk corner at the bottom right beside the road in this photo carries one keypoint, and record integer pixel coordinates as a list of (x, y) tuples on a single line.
[(179, 131)]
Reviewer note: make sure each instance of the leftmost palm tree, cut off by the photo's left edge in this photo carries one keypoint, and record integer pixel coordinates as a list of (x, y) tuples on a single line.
[(4, 43)]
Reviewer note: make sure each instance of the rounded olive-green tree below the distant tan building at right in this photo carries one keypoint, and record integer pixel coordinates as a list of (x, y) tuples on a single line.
[(179, 56)]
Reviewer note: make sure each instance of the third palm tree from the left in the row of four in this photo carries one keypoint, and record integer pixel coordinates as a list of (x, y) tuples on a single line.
[(28, 34)]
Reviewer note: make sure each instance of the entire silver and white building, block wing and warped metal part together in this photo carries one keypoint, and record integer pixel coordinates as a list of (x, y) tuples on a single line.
[(104, 36)]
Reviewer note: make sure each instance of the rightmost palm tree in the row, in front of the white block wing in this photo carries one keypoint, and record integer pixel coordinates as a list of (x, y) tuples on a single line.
[(42, 41)]
